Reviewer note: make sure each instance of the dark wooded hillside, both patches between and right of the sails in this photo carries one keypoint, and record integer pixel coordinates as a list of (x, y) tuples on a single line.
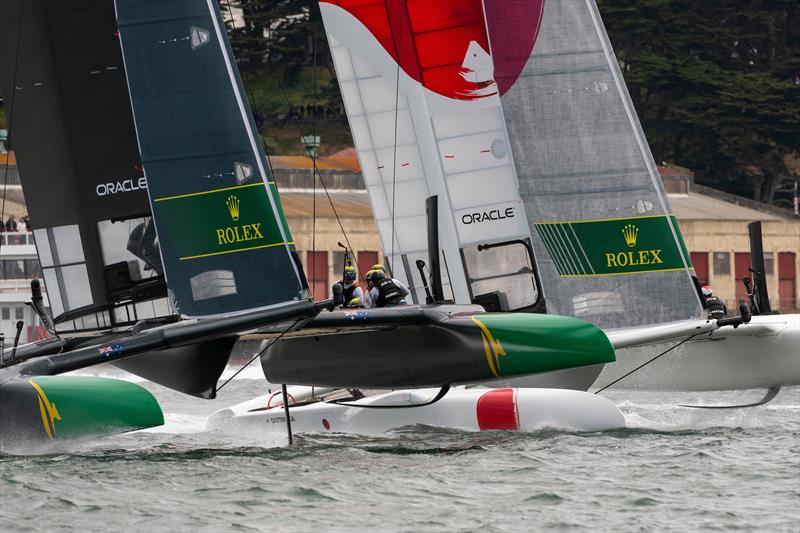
[(716, 84)]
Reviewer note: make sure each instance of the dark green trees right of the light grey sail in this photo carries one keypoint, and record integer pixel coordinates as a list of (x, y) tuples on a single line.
[(717, 86)]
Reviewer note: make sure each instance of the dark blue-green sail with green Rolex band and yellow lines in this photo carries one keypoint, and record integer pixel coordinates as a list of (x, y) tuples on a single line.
[(223, 237)]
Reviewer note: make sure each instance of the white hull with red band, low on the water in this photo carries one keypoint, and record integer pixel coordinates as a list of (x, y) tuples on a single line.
[(475, 409)]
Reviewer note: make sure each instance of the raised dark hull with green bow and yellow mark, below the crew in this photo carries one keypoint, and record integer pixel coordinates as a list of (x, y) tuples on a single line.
[(430, 346)]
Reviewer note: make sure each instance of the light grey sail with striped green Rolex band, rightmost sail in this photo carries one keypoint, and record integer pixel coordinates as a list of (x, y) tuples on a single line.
[(608, 248)]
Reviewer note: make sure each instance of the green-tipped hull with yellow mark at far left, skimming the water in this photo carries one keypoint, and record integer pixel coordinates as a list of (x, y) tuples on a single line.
[(59, 408)]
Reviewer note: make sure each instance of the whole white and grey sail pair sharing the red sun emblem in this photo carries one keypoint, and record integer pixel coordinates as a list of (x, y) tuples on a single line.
[(515, 114)]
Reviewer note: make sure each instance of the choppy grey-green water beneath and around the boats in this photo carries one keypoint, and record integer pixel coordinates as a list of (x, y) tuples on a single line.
[(672, 469)]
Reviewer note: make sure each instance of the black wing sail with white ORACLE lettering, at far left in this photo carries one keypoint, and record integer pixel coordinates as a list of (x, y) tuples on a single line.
[(66, 92)]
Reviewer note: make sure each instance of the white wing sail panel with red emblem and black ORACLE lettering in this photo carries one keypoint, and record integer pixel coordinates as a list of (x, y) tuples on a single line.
[(438, 129)]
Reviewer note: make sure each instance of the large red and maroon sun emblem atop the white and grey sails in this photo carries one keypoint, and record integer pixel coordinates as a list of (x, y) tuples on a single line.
[(462, 49)]
